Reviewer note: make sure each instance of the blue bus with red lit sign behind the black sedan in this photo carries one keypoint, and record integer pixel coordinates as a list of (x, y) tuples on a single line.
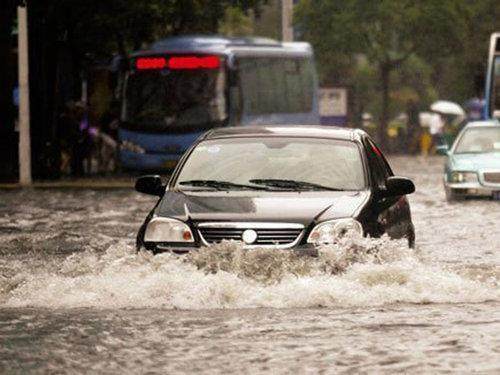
[(183, 86)]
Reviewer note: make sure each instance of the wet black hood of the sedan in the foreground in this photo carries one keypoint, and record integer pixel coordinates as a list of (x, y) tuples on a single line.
[(290, 207)]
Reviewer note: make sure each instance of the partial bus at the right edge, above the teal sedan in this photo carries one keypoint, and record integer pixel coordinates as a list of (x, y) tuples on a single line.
[(492, 97)]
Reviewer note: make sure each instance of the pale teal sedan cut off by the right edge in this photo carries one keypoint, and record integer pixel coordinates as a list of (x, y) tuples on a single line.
[(472, 167)]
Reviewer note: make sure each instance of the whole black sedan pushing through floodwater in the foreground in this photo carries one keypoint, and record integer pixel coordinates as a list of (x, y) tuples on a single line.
[(276, 187)]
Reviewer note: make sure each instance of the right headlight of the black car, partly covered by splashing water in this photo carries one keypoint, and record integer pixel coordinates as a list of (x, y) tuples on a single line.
[(332, 230)]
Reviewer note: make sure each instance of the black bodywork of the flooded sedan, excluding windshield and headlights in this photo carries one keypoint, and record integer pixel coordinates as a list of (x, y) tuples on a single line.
[(281, 219)]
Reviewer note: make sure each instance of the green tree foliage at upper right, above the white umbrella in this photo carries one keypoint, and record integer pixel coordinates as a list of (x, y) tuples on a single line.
[(423, 49)]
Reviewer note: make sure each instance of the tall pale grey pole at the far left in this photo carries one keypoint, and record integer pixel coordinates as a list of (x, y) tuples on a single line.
[(24, 98)]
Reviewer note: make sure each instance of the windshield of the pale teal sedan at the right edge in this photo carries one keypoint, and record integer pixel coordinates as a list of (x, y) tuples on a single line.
[(479, 140)]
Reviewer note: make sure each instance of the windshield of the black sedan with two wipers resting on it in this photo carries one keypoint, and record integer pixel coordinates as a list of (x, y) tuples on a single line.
[(274, 163)]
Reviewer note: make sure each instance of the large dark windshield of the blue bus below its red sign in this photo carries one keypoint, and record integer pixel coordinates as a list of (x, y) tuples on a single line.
[(175, 100)]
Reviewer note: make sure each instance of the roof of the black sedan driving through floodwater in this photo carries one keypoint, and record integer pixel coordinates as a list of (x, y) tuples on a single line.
[(312, 131)]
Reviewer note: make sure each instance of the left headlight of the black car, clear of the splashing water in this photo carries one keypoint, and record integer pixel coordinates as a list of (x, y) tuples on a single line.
[(162, 229)]
